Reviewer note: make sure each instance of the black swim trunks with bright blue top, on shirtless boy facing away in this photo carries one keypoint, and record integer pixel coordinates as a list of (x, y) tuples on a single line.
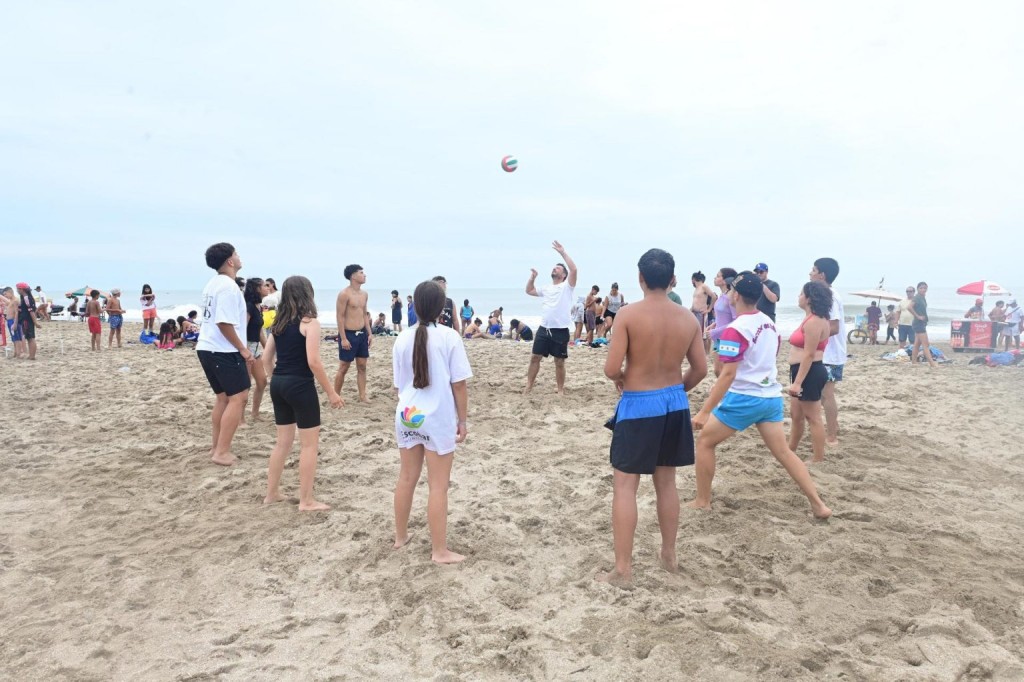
[(652, 430)]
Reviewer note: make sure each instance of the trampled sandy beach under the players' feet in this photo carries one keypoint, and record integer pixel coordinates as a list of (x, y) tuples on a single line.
[(126, 555)]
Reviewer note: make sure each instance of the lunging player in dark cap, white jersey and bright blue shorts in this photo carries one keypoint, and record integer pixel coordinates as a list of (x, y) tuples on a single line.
[(748, 394)]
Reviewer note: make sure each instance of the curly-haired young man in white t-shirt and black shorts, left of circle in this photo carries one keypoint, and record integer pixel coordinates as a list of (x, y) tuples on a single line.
[(222, 349)]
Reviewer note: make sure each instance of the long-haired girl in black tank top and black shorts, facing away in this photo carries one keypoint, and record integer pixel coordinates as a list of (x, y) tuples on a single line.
[(294, 344)]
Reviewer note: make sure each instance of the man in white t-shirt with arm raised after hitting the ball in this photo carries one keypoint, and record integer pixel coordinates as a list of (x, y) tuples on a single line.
[(552, 336)]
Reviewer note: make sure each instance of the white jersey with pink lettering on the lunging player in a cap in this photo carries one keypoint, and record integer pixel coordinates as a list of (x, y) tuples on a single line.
[(752, 342)]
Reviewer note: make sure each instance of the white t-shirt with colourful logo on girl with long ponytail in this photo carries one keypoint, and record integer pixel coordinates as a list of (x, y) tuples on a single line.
[(429, 416)]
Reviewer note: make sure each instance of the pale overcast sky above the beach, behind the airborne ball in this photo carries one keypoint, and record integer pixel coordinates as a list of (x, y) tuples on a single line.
[(315, 135)]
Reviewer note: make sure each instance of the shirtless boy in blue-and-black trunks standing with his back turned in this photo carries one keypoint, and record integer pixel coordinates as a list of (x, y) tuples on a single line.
[(652, 433)]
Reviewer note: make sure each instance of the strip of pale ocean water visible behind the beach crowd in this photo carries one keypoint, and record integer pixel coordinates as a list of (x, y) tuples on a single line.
[(945, 305)]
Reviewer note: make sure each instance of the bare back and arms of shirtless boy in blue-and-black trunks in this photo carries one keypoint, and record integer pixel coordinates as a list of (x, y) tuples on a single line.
[(658, 335)]
